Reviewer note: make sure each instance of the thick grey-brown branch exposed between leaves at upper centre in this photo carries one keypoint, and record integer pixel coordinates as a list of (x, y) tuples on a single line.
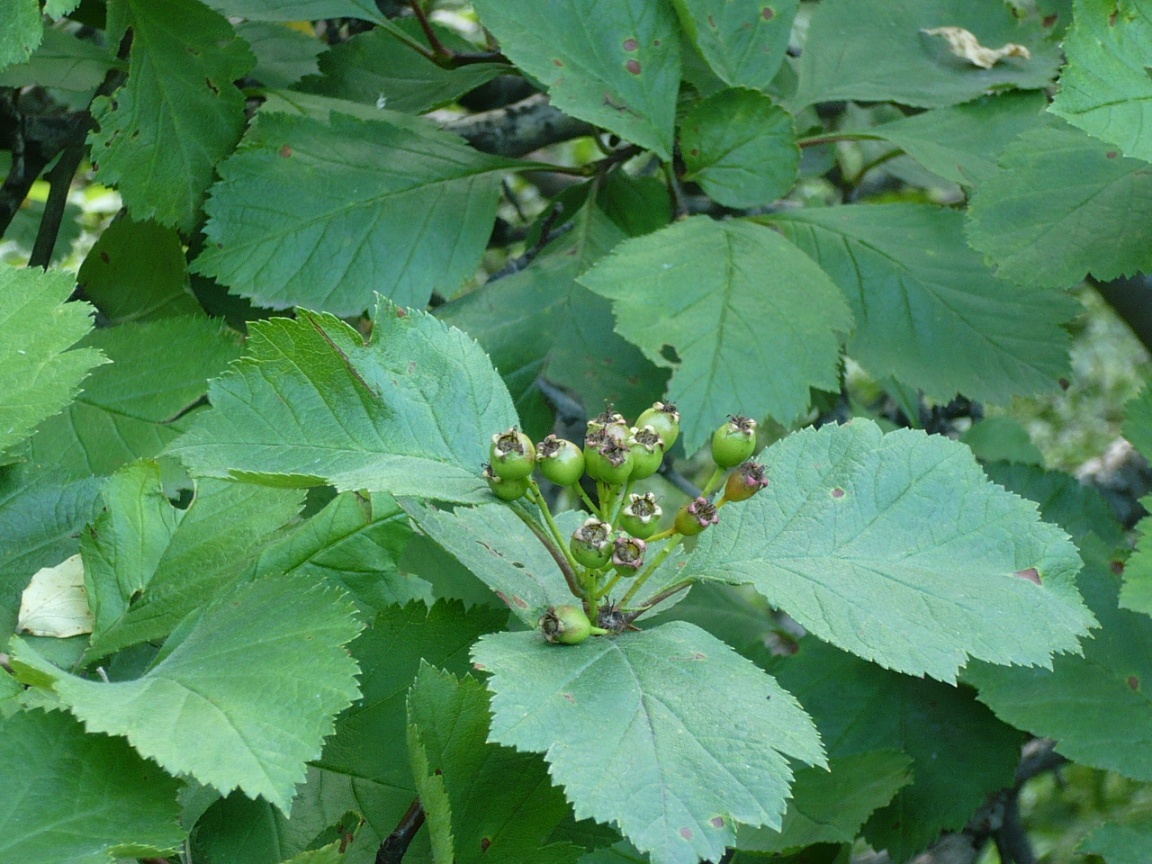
[(521, 128)]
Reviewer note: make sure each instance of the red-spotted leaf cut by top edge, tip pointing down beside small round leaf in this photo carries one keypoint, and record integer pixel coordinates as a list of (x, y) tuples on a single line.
[(617, 65)]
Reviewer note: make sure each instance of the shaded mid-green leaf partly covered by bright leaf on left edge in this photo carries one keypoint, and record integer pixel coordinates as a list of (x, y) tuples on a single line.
[(133, 408)]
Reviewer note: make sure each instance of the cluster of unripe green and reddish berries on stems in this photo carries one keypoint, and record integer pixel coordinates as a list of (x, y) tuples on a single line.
[(612, 545)]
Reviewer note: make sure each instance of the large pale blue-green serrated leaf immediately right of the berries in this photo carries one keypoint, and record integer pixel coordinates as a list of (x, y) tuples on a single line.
[(898, 549)]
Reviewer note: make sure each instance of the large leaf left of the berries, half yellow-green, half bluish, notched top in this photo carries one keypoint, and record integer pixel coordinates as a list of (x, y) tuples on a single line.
[(411, 413)]
